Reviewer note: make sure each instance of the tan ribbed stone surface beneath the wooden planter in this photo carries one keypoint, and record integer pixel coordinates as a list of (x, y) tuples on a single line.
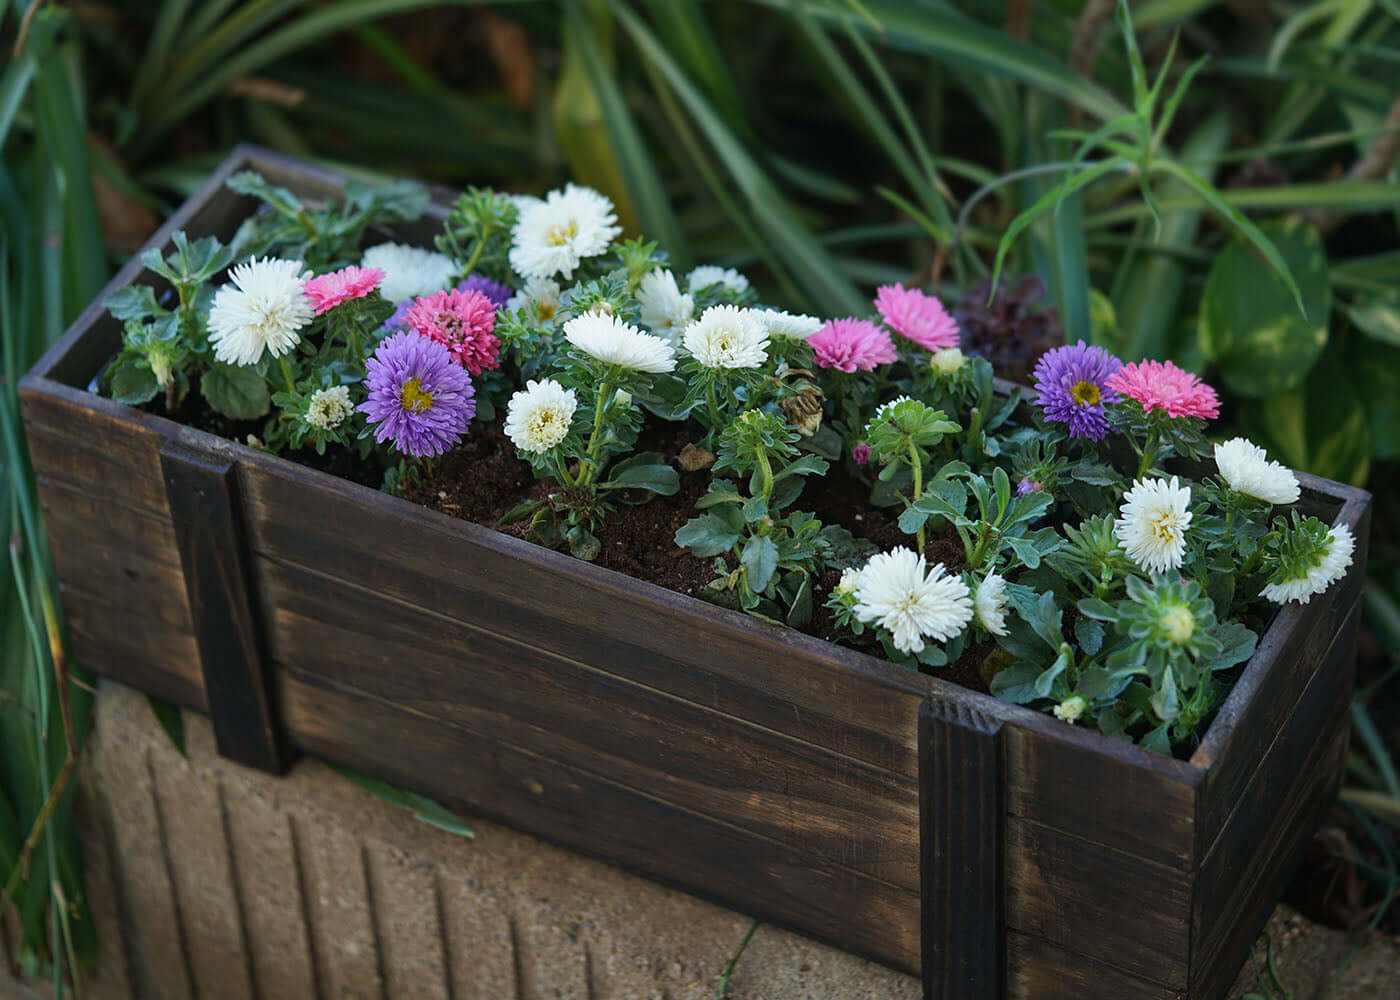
[(213, 882)]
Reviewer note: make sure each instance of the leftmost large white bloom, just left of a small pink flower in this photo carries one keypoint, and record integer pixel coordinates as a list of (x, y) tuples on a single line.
[(262, 307)]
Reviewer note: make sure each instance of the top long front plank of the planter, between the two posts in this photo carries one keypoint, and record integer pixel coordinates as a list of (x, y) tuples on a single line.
[(775, 677)]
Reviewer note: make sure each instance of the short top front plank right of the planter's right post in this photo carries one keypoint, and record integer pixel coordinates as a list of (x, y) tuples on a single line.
[(1062, 777)]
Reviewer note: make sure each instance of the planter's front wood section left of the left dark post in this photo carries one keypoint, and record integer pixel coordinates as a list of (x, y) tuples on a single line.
[(113, 541)]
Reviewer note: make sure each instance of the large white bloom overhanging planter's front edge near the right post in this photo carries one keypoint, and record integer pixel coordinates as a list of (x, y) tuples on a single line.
[(897, 593)]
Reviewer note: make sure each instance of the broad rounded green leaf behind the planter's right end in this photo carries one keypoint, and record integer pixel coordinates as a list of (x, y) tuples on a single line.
[(1248, 323)]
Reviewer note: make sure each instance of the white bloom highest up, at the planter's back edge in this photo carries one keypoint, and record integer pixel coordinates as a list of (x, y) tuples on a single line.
[(554, 236)]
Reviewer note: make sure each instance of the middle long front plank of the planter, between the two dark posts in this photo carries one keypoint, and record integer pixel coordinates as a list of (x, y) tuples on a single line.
[(783, 789)]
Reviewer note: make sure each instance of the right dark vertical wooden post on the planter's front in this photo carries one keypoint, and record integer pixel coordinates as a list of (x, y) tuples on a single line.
[(962, 835)]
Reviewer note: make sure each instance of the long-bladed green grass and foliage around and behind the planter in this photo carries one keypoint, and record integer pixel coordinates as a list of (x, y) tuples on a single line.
[(822, 146)]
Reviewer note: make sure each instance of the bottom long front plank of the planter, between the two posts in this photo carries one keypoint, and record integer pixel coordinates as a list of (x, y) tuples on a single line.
[(603, 819)]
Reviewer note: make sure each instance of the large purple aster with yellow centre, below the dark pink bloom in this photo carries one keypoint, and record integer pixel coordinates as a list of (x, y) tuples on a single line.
[(419, 397)]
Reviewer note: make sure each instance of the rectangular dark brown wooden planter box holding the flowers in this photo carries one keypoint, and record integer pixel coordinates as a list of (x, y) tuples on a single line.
[(789, 778)]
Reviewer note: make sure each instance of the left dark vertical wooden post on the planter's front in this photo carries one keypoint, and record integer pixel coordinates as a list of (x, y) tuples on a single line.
[(206, 509)]
